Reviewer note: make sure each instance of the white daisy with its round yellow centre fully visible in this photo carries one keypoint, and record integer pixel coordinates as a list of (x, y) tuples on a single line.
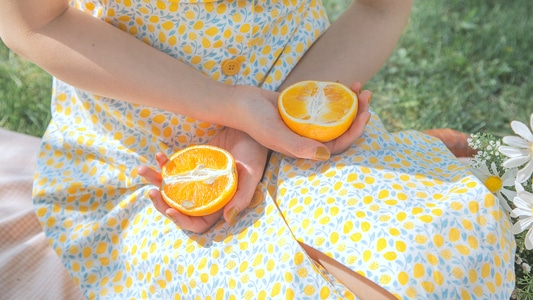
[(496, 183)]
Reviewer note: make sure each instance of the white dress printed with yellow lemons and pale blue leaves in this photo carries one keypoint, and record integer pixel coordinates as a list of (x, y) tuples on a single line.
[(395, 207)]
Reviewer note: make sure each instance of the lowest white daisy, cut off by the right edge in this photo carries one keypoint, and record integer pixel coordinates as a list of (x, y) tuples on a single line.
[(524, 212)]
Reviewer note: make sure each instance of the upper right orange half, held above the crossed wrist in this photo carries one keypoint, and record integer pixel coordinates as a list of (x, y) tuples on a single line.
[(319, 110)]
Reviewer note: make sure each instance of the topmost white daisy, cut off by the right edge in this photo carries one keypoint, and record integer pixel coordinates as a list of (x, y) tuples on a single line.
[(520, 150)]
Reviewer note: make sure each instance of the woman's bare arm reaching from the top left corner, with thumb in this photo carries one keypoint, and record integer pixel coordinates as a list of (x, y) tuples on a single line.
[(90, 54)]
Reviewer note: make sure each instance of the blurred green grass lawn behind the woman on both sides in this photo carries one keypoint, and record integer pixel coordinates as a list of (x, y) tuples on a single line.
[(460, 64)]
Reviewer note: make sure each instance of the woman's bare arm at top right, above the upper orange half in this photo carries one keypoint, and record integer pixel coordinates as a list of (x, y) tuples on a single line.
[(356, 45)]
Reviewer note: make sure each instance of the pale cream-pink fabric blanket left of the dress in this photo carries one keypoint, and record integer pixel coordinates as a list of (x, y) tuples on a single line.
[(29, 267)]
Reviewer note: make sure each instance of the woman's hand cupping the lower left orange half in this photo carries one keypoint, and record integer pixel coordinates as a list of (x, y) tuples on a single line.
[(250, 159)]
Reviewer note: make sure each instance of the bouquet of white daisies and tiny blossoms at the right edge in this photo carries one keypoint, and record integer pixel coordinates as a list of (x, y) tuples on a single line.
[(505, 166)]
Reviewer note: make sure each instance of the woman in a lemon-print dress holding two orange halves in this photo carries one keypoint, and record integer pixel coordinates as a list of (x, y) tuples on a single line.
[(130, 80)]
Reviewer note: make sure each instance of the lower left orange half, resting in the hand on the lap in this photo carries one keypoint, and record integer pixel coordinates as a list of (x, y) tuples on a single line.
[(199, 180)]
